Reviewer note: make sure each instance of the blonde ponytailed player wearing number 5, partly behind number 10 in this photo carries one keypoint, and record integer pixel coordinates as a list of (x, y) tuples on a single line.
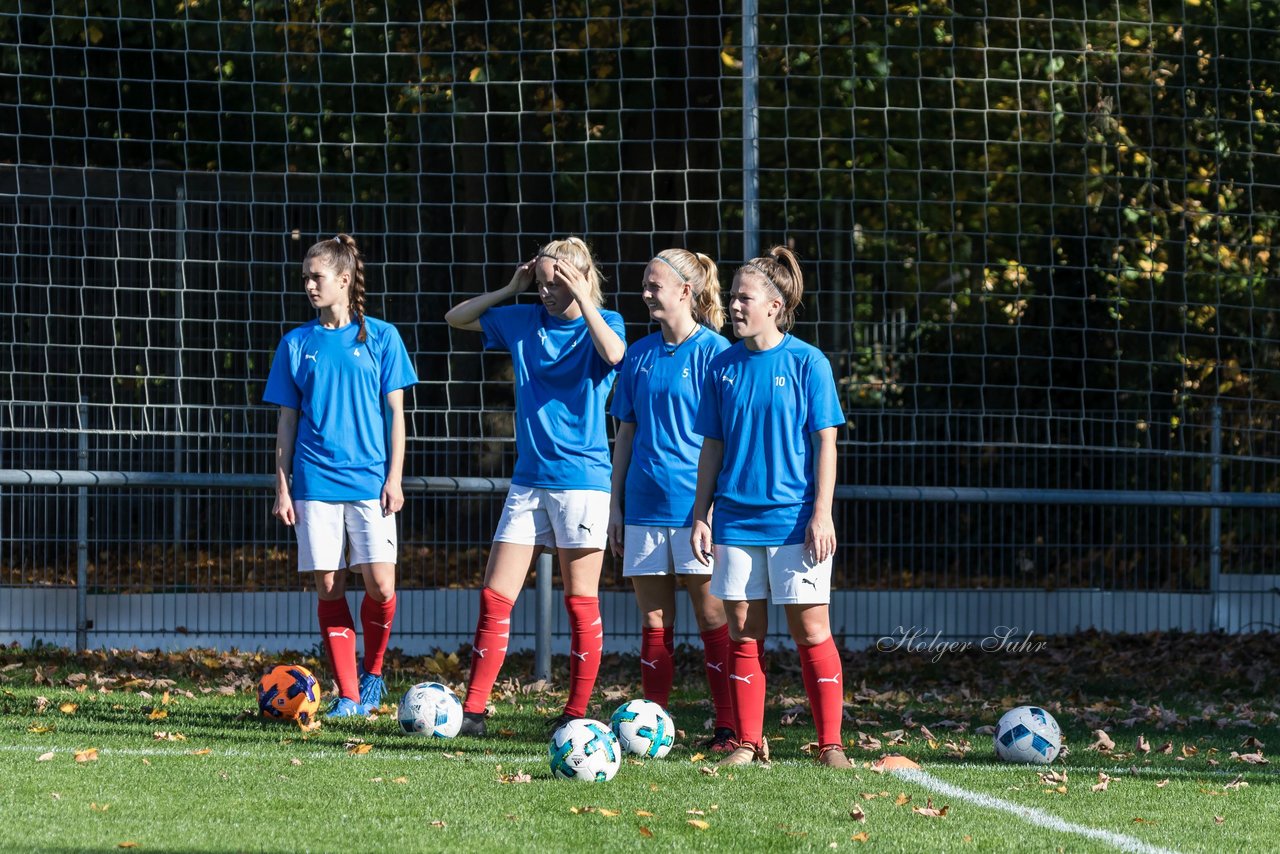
[(656, 472)]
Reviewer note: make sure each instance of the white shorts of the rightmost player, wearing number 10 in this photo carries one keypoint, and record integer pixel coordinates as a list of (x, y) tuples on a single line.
[(781, 574)]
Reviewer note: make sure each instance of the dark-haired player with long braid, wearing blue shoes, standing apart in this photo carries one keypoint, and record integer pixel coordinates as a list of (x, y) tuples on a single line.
[(340, 382)]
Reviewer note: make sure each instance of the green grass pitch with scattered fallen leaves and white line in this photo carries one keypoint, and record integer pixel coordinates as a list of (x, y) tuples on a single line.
[(199, 773)]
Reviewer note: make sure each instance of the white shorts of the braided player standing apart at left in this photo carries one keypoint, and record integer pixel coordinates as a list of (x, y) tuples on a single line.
[(337, 535)]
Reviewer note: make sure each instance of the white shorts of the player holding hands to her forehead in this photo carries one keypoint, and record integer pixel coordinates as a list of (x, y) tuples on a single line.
[(555, 518)]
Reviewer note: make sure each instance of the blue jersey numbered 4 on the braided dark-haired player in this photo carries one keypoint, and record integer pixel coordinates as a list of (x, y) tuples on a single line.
[(340, 386)]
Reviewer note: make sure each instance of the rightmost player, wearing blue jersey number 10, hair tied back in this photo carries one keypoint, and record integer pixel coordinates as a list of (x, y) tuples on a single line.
[(769, 417)]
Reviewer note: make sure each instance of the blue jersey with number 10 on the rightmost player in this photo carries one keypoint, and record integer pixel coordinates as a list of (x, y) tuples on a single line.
[(765, 407)]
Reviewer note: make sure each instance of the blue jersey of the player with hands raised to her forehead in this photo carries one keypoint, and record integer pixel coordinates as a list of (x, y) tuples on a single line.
[(561, 387)]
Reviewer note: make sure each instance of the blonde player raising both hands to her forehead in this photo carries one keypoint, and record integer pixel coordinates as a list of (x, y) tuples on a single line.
[(565, 351)]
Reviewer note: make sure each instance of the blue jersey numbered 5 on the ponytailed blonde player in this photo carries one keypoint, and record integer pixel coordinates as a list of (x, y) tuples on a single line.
[(659, 390)]
